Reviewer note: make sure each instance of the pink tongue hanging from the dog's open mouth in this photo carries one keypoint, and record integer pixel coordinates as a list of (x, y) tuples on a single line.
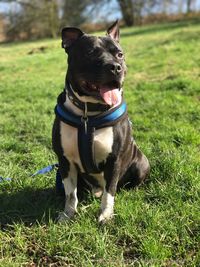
[(111, 96)]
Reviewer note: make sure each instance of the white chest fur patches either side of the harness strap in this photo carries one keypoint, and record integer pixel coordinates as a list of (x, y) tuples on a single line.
[(103, 142)]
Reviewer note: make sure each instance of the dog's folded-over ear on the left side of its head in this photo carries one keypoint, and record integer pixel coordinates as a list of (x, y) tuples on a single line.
[(69, 36)]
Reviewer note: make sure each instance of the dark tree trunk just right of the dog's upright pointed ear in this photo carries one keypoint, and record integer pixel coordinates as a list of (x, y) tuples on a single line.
[(126, 7)]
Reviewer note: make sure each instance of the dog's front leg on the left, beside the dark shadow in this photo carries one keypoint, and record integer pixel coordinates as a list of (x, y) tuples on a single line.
[(71, 201)]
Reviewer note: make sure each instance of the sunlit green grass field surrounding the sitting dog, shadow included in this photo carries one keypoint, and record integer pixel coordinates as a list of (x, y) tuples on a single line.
[(158, 224)]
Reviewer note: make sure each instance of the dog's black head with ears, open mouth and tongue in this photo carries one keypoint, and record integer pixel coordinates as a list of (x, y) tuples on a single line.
[(96, 65)]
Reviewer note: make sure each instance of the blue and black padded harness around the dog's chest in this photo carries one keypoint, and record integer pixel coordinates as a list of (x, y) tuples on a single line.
[(86, 126)]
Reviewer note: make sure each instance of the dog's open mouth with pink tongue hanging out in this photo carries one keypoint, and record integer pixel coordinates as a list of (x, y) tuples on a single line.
[(109, 92)]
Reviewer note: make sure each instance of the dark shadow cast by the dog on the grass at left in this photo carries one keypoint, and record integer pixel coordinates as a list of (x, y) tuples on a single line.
[(29, 205)]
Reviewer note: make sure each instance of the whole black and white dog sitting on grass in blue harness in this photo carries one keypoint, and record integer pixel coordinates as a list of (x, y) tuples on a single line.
[(92, 133)]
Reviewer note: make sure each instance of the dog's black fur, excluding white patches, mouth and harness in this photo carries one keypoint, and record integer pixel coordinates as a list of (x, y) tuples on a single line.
[(99, 61)]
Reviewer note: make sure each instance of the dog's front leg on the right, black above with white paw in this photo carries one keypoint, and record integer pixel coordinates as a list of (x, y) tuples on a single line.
[(111, 175)]
